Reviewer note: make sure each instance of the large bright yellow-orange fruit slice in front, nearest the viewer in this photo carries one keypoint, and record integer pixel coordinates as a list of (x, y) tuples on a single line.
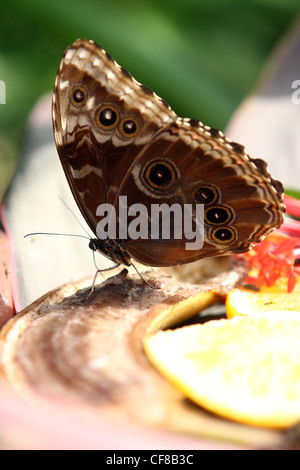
[(246, 368)]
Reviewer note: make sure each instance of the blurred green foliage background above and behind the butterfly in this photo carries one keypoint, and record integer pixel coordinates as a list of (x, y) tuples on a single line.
[(201, 56)]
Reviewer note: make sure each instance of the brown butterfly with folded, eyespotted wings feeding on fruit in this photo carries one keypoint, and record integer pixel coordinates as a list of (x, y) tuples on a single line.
[(117, 140)]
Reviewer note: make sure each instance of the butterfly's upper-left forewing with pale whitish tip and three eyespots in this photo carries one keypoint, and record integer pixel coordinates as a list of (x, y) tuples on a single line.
[(102, 117)]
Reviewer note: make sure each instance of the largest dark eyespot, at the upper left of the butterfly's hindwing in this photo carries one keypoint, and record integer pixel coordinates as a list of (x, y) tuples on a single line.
[(160, 175)]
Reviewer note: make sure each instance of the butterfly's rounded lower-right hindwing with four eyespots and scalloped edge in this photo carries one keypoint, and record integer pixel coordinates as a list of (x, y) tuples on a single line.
[(188, 164)]
